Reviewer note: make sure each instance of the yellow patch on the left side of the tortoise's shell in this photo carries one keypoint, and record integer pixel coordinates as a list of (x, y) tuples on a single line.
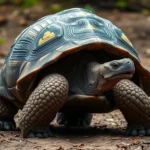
[(47, 36)]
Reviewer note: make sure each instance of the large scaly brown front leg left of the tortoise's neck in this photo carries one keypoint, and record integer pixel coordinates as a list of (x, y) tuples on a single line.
[(42, 106)]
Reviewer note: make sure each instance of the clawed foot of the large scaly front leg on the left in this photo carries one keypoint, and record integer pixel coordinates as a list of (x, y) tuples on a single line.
[(39, 133)]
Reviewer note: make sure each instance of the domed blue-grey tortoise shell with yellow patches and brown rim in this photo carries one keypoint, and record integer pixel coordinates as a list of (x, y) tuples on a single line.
[(55, 36)]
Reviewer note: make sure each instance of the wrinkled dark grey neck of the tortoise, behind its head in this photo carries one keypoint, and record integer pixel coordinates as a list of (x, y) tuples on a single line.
[(86, 78)]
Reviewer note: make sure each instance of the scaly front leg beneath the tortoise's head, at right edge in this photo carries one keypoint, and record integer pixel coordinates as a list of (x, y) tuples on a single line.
[(135, 106)]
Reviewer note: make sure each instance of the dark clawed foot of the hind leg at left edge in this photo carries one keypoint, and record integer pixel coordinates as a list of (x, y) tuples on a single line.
[(7, 124)]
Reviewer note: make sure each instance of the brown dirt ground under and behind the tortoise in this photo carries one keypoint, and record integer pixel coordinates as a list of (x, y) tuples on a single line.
[(107, 131)]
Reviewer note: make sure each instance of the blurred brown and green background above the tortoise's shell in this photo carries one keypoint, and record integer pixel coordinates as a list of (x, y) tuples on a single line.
[(132, 16)]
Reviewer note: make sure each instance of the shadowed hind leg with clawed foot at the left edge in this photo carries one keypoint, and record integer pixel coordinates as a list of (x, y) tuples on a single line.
[(7, 112)]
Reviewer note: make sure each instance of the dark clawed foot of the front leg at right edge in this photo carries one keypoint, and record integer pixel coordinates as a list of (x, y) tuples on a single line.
[(138, 131)]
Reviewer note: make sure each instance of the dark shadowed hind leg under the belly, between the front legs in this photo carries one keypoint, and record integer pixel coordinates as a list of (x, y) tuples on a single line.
[(74, 119)]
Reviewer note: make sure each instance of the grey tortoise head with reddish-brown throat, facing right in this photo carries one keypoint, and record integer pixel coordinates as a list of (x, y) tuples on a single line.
[(114, 71)]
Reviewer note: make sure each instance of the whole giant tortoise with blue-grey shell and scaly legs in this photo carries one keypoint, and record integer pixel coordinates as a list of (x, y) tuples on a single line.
[(73, 63)]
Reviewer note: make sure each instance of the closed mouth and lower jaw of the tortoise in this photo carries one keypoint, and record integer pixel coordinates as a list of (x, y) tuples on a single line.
[(124, 75)]
